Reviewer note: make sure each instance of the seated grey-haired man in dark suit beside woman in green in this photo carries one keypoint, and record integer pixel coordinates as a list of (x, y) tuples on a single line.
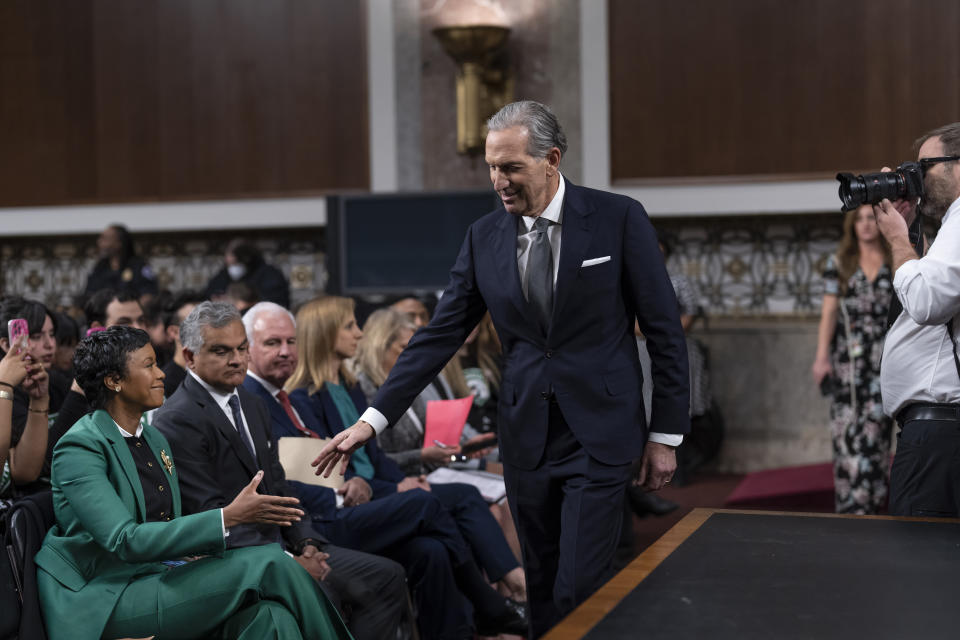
[(220, 433)]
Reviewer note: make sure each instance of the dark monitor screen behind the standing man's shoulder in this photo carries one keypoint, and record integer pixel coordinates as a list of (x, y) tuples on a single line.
[(398, 243)]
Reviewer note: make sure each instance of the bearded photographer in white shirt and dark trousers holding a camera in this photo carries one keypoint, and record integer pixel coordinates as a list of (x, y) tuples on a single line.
[(920, 369)]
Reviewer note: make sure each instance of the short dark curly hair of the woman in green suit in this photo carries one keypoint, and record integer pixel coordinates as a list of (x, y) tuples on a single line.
[(104, 353)]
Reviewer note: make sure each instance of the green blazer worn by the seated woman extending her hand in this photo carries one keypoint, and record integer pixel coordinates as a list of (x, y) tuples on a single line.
[(101, 540)]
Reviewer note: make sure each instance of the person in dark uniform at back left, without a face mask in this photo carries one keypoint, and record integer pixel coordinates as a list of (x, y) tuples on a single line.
[(119, 267)]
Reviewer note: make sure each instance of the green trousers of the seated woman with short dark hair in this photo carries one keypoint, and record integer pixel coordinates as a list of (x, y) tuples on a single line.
[(253, 592)]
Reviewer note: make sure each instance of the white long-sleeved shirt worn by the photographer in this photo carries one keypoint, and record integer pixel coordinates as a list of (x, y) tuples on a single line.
[(917, 363)]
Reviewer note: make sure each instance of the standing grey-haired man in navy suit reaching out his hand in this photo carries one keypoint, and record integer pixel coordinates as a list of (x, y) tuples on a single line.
[(564, 271)]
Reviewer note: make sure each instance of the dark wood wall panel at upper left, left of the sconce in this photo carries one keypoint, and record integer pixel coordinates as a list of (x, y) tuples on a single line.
[(112, 100)]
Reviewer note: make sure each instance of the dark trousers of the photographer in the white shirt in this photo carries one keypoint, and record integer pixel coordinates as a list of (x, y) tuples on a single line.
[(925, 477)]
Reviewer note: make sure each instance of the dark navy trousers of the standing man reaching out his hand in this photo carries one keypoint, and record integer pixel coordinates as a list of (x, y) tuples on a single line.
[(569, 512)]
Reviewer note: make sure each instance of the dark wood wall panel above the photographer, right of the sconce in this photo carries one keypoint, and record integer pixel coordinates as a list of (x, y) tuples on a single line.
[(777, 87)]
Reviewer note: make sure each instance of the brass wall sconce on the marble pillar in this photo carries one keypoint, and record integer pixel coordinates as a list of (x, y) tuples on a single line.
[(483, 86)]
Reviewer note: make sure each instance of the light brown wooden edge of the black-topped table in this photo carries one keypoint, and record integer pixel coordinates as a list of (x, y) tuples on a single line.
[(587, 615)]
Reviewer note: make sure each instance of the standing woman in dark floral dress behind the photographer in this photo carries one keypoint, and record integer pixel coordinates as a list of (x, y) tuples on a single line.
[(853, 322)]
